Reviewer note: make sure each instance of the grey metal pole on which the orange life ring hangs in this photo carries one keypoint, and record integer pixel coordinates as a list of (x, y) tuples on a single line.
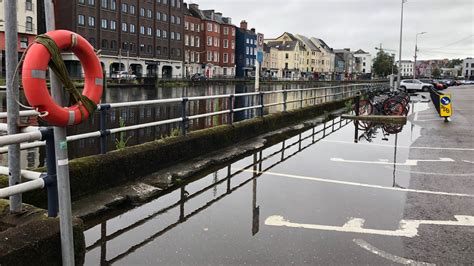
[(62, 163)]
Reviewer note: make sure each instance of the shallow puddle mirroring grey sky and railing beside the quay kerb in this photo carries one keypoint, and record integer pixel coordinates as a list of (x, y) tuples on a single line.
[(219, 219)]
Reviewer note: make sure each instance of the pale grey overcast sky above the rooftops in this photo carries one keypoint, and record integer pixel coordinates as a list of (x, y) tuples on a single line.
[(363, 23)]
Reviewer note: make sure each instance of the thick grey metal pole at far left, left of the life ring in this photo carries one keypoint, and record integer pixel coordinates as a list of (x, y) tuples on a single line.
[(11, 60)]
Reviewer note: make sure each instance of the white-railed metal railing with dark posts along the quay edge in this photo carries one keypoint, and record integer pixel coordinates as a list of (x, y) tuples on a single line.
[(299, 99)]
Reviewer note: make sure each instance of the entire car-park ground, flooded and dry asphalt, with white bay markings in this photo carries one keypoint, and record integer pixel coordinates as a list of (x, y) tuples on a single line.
[(316, 198)]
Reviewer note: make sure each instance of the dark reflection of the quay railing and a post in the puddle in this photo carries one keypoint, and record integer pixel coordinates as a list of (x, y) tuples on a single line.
[(233, 181)]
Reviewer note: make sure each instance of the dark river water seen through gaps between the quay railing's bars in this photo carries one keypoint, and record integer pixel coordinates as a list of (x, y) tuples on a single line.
[(152, 113)]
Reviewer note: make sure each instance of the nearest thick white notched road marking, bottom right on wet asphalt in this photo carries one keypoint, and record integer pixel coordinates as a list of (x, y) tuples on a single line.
[(407, 228)]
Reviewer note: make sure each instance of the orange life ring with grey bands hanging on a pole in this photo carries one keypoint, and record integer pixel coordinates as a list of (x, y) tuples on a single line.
[(34, 70)]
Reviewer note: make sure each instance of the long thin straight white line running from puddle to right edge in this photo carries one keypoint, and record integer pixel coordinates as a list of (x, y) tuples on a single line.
[(317, 179)]
